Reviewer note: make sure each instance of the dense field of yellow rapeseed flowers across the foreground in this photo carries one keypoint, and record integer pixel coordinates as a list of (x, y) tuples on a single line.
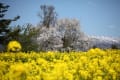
[(95, 64)]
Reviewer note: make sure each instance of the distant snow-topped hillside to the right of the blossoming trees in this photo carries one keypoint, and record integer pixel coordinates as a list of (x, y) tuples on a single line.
[(104, 42)]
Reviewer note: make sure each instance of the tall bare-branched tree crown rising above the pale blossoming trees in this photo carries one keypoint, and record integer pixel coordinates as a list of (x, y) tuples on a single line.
[(48, 15)]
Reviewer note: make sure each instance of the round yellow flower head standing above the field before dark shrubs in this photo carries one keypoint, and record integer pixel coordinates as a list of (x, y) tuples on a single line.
[(14, 46)]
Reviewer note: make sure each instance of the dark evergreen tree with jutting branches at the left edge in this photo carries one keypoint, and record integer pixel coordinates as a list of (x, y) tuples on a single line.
[(5, 30)]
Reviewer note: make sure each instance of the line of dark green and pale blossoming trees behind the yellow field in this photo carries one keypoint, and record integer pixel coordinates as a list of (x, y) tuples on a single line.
[(50, 34)]
